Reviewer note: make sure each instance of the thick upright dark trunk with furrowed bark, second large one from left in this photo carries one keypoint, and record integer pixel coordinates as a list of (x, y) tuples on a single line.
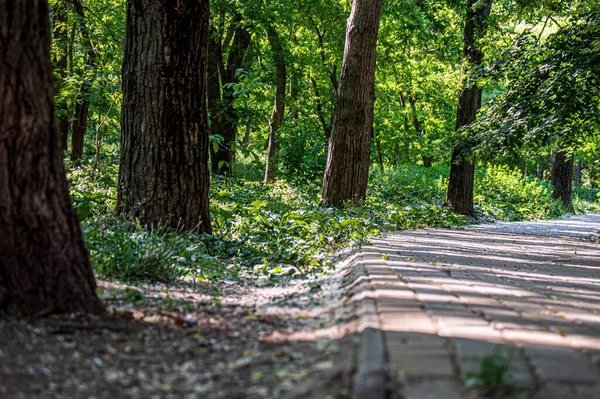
[(164, 178)]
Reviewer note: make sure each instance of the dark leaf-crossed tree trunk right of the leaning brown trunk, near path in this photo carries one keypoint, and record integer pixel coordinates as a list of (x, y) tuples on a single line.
[(462, 166)]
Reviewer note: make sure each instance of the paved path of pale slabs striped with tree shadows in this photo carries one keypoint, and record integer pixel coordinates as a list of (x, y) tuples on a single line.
[(446, 298)]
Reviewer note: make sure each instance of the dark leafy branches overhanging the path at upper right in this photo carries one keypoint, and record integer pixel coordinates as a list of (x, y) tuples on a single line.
[(552, 89)]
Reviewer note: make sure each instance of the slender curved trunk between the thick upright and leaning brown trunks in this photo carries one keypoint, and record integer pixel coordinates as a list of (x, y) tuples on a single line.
[(278, 108)]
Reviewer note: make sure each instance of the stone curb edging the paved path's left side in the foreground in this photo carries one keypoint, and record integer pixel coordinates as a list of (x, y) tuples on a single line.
[(371, 376)]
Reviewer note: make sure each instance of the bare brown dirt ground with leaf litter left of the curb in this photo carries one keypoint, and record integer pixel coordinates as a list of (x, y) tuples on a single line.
[(225, 340)]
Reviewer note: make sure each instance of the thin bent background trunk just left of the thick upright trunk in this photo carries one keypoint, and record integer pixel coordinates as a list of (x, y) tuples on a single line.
[(83, 102)]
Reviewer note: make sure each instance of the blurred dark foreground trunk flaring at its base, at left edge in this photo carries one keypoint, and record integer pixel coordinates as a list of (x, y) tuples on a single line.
[(44, 265)]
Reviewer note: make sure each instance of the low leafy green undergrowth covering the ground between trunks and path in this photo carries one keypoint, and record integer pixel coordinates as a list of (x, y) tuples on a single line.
[(275, 232)]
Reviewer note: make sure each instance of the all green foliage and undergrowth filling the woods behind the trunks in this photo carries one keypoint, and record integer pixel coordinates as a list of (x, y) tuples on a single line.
[(283, 230)]
